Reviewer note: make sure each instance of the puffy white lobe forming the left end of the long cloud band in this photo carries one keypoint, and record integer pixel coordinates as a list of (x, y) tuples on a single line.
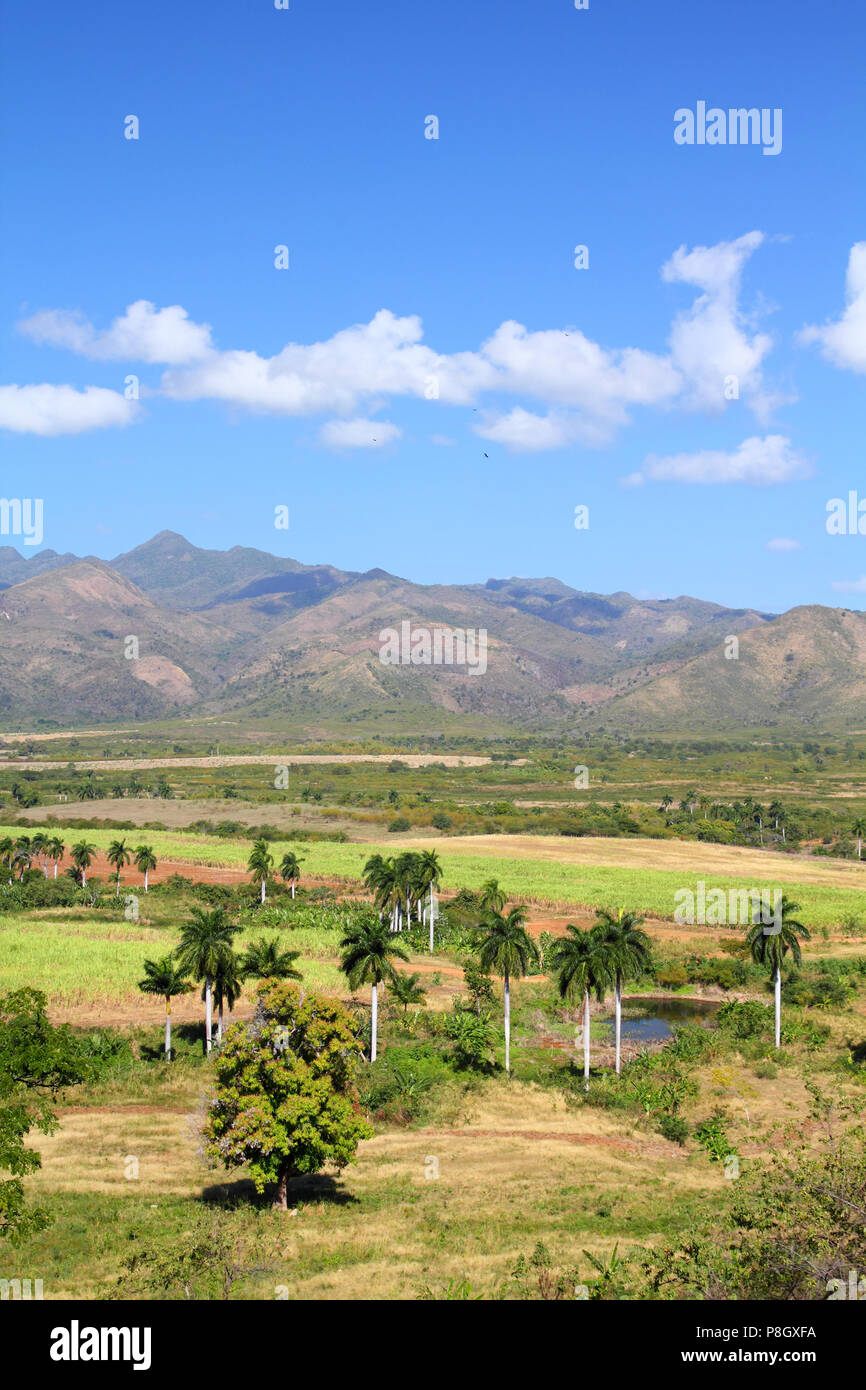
[(144, 333)]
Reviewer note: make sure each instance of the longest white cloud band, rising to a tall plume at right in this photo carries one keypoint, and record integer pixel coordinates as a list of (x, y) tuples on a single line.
[(565, 389)]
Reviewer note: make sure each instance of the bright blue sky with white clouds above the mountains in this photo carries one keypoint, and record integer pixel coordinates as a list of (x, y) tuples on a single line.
[(426, 266)]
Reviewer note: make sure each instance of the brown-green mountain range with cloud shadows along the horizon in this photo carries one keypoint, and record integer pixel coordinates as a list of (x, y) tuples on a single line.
[(247, 633)]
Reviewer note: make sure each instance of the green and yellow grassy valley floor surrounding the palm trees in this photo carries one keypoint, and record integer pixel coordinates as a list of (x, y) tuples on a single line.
[(473, 1185)]
